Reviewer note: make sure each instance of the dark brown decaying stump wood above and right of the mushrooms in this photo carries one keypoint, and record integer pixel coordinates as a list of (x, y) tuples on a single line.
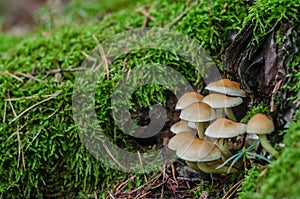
[(261, 67)]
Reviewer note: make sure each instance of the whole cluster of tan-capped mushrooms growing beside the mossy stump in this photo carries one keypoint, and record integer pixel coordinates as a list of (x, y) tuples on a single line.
[(208, 127)]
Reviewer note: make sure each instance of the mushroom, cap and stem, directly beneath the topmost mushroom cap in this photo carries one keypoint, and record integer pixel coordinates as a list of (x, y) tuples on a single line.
[(220, 102)]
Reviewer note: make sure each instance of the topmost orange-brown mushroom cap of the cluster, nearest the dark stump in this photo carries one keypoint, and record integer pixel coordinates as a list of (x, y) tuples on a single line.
[(227, 87)]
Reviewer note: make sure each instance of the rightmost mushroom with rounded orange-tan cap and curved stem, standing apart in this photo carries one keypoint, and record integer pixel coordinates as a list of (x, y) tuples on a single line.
[(261, 125)]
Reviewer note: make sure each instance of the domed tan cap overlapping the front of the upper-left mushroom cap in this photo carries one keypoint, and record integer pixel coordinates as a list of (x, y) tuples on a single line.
[(198, 112)]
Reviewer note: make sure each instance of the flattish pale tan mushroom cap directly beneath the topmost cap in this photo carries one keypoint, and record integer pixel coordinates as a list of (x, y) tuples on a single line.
[(221, 101)]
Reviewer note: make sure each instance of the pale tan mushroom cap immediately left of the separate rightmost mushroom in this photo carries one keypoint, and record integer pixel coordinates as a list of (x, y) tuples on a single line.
[(224, 128)]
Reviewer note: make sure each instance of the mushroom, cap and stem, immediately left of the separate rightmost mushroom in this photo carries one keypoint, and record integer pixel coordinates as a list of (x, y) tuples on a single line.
[(223, 128)]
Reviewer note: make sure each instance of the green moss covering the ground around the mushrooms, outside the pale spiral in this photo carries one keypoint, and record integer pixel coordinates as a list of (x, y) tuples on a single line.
[(41, 153)]
